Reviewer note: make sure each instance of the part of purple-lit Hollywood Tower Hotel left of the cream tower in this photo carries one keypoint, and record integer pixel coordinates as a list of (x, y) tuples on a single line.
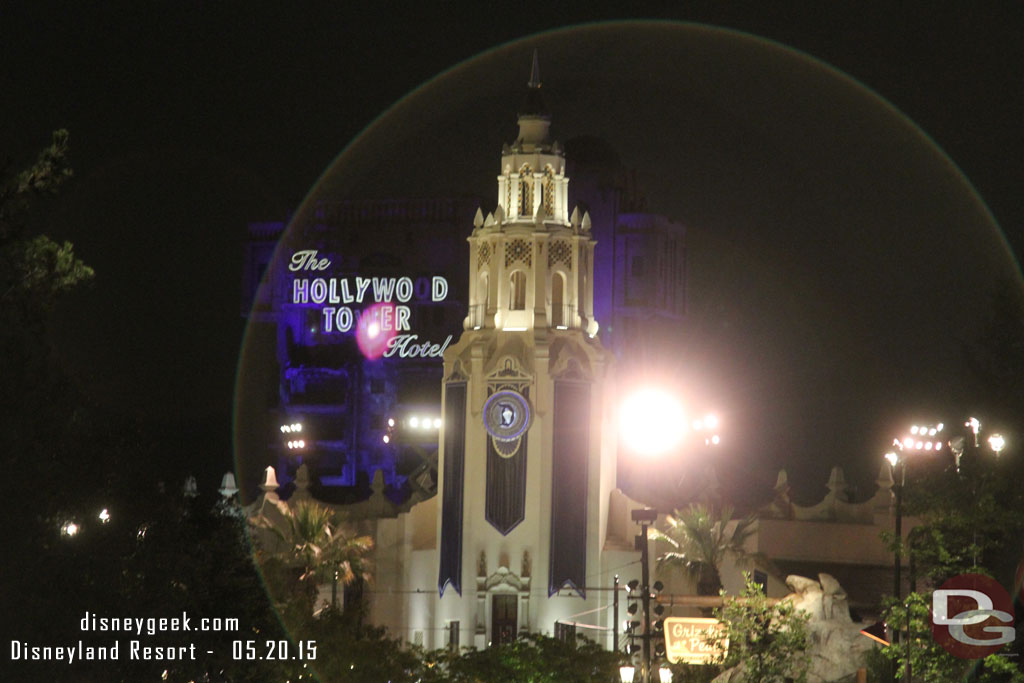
[(323, 381)]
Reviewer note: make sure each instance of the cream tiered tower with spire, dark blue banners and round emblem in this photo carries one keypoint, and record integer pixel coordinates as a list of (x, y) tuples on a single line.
[(519, 534)]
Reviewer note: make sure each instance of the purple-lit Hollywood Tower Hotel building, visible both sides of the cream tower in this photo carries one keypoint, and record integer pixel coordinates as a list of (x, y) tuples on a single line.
[(345, 401)]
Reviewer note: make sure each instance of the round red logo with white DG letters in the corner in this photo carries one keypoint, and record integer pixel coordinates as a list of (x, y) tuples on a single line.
[(972, 617)]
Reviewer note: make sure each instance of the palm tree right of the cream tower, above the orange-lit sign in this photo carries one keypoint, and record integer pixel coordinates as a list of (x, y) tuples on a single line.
[(701, 540)]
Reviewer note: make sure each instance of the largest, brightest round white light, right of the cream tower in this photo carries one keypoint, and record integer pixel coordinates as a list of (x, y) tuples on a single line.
[(652, 421)]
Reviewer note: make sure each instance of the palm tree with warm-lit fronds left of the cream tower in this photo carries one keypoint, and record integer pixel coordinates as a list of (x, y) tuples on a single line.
[(323, 549)]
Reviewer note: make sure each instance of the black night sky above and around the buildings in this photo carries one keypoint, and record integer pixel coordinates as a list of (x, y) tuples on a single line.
[(838, 260)]
